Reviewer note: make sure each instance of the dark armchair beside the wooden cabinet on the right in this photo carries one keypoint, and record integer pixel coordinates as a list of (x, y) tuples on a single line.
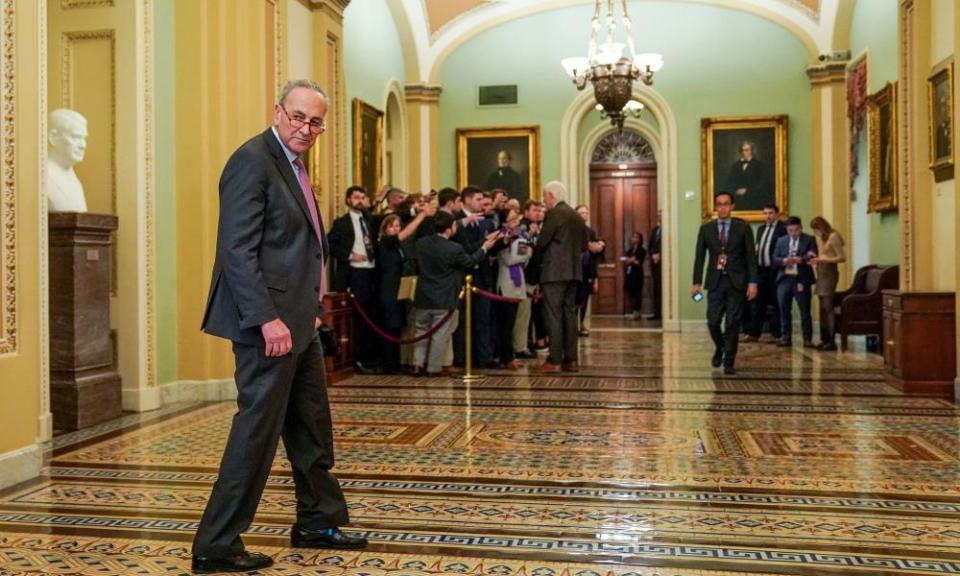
[(859, 309)]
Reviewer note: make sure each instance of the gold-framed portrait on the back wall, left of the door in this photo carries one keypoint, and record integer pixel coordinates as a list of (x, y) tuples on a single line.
[(506, 157)]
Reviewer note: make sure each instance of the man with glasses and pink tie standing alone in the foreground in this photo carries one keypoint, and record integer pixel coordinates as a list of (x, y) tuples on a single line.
[(266, 296)]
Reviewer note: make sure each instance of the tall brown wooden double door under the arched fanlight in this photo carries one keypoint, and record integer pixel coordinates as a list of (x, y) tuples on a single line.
[(623, 200)]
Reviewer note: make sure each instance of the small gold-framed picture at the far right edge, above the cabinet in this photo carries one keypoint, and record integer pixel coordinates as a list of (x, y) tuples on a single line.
[(940, 120)]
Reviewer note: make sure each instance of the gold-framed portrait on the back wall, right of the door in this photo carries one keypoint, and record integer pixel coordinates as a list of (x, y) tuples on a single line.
[(756, 182)]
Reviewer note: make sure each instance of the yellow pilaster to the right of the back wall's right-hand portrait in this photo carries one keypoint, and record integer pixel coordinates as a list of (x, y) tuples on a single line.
[(831, 146)]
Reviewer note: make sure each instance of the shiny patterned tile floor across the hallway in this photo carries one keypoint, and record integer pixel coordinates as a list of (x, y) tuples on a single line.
[(646, 463)]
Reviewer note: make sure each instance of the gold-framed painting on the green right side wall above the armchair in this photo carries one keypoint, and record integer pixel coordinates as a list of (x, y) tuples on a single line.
[(884, 154)]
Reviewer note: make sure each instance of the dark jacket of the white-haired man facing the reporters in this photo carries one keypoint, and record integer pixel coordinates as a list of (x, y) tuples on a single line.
[(562, 240)]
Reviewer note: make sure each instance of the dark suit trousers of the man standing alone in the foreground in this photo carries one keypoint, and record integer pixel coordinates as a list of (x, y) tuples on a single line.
[(276, 396)]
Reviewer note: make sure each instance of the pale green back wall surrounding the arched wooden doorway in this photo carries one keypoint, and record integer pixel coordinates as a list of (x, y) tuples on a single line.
[(710, 70)]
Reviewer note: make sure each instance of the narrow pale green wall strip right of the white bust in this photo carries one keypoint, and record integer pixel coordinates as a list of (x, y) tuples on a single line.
[(165, 213)]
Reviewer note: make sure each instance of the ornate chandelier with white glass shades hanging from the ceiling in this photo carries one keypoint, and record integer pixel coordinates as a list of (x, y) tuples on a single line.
[(612, 72)]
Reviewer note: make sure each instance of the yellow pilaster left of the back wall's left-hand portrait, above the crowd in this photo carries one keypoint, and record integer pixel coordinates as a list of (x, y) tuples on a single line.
[(423, 111)]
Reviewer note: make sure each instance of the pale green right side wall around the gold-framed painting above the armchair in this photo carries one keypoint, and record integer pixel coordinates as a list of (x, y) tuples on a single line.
[(874, 29)]
